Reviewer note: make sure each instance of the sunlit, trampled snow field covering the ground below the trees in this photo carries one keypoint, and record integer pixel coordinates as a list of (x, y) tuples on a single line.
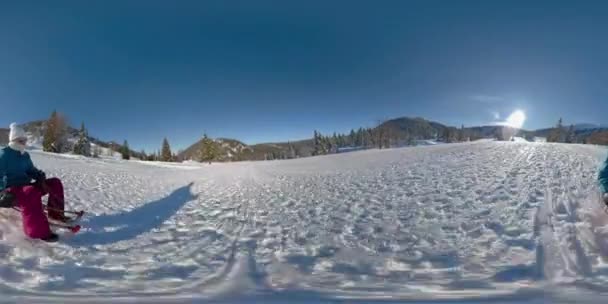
[(500, 221)]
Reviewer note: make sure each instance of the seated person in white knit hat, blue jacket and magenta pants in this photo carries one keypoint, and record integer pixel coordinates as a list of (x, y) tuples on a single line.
[(16, 174)]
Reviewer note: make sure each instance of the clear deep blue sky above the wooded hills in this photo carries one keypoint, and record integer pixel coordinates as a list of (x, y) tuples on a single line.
[(263, 71)]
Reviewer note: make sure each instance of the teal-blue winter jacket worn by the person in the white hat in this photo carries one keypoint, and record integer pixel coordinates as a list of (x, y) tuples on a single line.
[(16, 169)]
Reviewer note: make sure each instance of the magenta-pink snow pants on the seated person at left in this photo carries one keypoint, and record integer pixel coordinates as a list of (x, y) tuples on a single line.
[(29, 199)]
